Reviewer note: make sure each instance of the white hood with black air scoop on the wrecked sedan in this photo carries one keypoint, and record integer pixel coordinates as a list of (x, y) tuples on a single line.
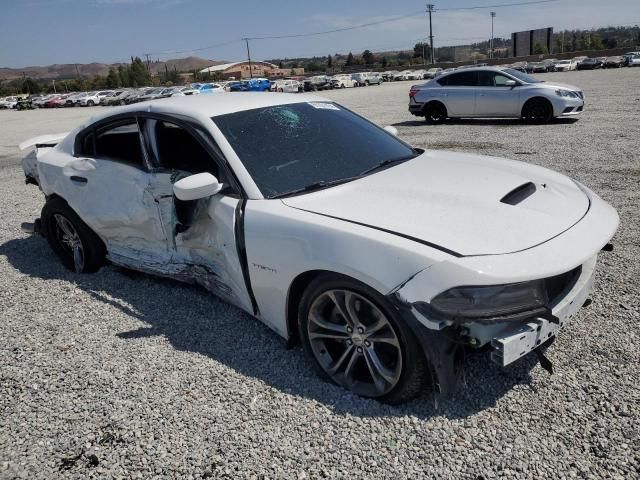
[(464, 204)]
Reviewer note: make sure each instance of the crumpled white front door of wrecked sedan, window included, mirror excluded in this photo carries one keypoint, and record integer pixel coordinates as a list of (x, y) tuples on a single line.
[(206, 251)]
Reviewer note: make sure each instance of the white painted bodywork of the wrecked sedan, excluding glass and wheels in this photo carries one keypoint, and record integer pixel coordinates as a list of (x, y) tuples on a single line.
[(410, 232)]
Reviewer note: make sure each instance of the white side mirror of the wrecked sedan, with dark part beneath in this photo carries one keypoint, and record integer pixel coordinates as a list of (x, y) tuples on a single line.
[(187, 192)]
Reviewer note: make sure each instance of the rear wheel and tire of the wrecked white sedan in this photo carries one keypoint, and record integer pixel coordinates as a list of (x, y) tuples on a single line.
[(62, 226)]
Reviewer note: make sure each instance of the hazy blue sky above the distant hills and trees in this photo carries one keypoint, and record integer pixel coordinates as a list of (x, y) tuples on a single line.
[(43, 32)]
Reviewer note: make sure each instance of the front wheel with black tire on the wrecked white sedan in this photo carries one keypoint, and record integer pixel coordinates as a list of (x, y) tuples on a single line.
[(386, 364)]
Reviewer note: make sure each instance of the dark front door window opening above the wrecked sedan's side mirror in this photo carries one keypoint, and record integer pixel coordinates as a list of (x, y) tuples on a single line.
[(177, 149)]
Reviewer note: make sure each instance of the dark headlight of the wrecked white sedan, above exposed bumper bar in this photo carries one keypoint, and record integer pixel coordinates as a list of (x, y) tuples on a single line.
[(490, 301)]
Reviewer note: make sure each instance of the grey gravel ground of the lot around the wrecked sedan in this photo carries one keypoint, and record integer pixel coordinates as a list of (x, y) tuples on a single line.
[(121, 375)]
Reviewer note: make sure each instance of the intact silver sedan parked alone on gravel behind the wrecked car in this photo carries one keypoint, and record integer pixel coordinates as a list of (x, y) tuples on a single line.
[(493, 92)]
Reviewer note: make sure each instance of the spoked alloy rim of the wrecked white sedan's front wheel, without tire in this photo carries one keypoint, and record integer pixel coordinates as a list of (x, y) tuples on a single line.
[(354, 342)]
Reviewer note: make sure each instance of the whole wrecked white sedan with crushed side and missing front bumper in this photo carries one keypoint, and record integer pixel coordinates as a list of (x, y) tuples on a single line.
[(383, 260)]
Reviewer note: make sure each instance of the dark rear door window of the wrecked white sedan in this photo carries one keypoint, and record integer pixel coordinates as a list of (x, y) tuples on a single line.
[(120, 141)]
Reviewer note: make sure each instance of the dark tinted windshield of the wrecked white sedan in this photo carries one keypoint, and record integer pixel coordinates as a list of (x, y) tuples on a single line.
[(289, 147)]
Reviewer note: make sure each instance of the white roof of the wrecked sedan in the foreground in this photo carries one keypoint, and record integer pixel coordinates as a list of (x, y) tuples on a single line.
[(212, 105)]
